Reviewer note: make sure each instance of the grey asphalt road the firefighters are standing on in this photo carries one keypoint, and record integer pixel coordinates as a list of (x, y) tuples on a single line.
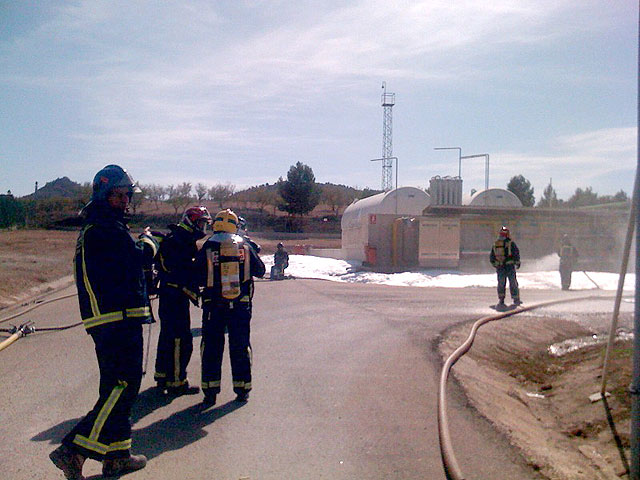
[(345, 384)]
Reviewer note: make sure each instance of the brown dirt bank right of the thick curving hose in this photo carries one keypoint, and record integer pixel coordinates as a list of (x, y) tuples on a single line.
[(541, 402)]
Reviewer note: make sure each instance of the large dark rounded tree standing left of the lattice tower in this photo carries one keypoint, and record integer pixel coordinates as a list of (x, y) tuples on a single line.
[(299, 191)]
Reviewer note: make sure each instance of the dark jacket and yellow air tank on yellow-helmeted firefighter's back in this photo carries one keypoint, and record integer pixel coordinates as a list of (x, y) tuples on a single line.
[(226, 266)]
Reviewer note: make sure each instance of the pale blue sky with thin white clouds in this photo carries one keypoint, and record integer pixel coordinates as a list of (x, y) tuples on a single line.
[(238, 91)]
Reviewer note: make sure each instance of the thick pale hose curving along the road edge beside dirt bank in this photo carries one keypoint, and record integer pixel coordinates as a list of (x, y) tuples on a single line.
[(449, 461)]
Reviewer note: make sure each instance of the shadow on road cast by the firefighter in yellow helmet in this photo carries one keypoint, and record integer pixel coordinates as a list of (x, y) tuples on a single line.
[(180, 429)]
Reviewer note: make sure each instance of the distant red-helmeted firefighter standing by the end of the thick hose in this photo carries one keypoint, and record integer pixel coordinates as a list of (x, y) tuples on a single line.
[(505, 257)]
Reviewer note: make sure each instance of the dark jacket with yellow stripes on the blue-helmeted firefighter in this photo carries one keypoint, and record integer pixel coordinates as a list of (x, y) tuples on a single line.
[(108, 271)]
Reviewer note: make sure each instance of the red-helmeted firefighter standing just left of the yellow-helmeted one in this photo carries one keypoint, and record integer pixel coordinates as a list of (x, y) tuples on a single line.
[(178, 287)]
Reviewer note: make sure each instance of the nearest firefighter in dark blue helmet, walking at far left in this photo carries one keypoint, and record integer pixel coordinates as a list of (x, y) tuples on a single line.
[(113, 306)]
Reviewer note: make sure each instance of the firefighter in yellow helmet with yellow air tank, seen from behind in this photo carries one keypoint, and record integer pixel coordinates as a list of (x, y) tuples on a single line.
[(226, 266)]
